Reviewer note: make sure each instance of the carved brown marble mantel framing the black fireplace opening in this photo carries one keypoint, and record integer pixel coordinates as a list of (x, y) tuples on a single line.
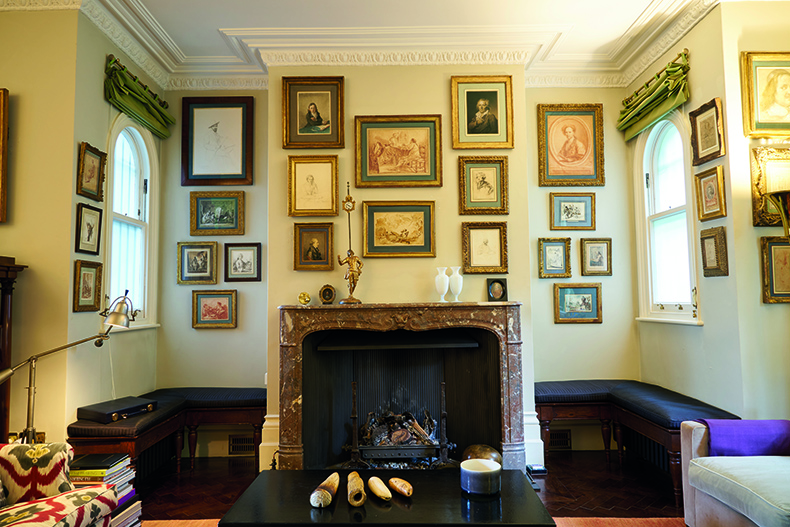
[(503, 319)]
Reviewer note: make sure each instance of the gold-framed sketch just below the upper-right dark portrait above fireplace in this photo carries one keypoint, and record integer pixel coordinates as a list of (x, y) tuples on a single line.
[(483, 184)]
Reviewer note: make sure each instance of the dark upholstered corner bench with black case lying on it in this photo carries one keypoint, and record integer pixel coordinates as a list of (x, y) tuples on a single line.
[(176, 408)]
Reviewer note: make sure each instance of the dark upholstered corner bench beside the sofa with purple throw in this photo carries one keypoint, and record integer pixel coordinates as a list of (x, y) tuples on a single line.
[(647, 409)]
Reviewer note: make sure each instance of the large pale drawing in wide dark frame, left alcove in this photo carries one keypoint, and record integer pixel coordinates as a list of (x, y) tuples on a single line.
[(216, 140)]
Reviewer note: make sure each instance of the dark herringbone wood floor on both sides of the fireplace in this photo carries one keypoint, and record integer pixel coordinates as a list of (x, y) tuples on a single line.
[(579, 484)]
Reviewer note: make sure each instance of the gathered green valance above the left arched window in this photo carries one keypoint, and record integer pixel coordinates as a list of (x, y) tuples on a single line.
[(125, 92)]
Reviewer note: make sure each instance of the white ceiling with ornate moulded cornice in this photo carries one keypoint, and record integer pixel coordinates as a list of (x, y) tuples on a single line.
[(202, 44)]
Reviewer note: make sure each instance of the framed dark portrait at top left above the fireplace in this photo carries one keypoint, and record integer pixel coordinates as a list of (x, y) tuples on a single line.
[(313, 113)]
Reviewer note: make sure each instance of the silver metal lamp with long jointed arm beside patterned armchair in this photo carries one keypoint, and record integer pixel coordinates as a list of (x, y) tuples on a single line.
[(119, 313)]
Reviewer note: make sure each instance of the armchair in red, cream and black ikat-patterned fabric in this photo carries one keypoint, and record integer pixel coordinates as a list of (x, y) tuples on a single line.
[(37, 491)]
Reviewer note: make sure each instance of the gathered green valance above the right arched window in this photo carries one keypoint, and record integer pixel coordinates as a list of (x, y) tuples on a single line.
[(669, 89)]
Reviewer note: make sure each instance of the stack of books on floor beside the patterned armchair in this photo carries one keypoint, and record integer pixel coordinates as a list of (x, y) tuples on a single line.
[(110, 469)]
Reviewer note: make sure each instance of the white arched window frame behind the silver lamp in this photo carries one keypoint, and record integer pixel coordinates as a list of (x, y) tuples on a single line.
[(148, 317)]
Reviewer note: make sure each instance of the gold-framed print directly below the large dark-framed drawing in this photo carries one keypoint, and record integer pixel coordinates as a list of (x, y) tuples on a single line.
[(216, 213)]
